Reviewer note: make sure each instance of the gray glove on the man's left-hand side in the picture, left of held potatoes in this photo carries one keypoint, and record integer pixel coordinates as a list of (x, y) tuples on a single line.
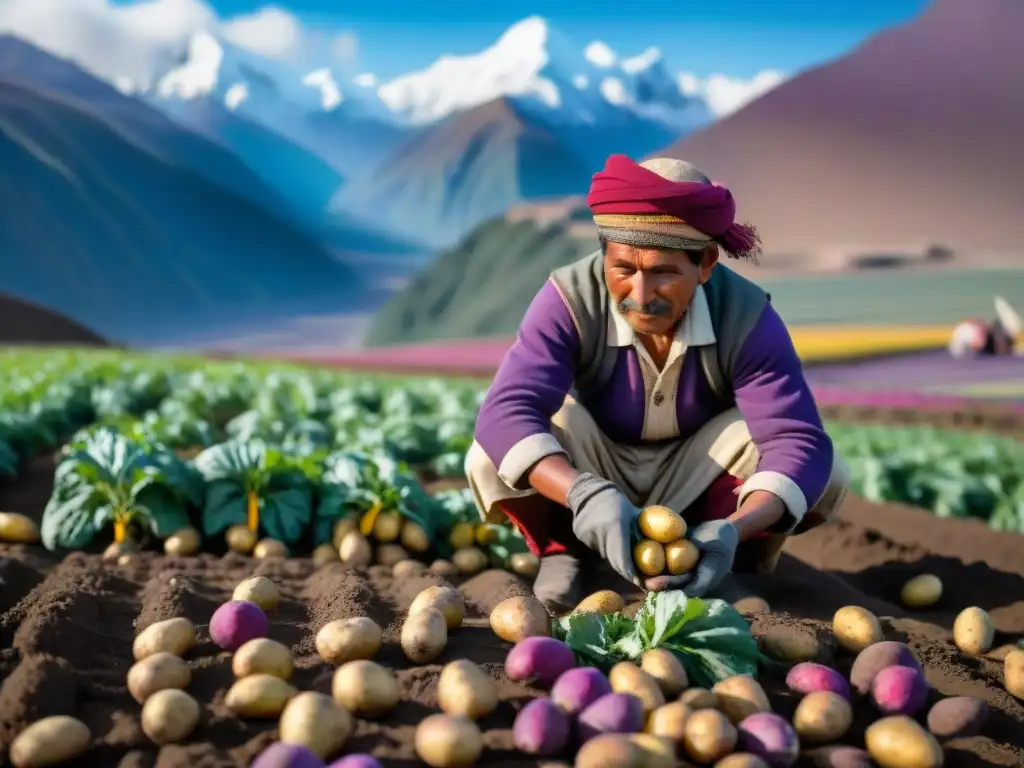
[(605, 521)]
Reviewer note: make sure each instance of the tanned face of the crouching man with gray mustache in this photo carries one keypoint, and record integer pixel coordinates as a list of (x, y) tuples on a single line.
[(653, 287)]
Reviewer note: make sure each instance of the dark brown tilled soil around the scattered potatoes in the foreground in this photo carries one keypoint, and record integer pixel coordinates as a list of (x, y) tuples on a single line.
[(67, 628)]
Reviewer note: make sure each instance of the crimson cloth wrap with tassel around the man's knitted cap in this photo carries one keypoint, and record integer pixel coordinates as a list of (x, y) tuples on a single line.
[(627, 188)]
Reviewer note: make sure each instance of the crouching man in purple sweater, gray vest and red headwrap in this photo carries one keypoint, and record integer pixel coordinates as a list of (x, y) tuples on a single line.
[(650, 373)]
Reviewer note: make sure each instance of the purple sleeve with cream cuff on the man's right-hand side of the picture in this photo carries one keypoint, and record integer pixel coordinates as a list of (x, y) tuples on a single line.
[(783, 418)]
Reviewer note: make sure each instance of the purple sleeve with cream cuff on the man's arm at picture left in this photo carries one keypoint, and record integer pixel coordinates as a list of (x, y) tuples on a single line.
[(514, 428)]
